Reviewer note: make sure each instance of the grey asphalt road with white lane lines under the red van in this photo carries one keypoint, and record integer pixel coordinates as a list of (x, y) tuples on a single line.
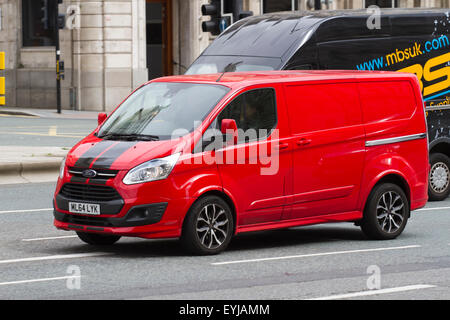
[(331, 261)]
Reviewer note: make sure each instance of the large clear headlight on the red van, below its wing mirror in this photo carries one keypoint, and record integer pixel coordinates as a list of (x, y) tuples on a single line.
[(156, 169)]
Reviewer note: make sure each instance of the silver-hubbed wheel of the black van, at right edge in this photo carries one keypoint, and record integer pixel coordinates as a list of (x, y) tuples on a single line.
[(439, 179)]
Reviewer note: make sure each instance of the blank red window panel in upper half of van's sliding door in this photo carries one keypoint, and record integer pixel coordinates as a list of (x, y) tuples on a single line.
[(322, 106)]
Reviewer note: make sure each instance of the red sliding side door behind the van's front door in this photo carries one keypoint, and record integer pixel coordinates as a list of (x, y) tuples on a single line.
[(328, 148)]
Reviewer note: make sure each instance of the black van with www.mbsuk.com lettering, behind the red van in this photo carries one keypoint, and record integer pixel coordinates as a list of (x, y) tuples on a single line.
[(408, 40)]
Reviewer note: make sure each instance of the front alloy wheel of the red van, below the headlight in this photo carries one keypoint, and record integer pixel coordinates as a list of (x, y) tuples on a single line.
[(208, 227)]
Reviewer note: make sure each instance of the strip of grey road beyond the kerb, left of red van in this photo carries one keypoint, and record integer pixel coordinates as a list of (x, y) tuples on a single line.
[(31, 131)]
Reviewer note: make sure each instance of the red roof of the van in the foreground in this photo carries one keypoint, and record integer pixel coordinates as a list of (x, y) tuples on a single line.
[(232, 79)]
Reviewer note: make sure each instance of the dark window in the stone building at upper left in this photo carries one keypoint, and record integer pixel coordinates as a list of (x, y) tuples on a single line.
[(38, 23)]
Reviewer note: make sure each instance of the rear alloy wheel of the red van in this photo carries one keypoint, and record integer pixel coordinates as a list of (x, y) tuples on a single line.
[(386, 212)]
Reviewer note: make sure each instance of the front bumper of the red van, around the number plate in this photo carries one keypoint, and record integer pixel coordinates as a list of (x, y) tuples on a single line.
[(121, 213)]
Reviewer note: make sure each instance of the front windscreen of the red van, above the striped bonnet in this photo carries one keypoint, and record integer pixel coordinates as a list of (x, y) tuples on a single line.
[(162, 111)]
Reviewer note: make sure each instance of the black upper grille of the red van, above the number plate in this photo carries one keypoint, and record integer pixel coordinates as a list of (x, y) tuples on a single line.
[(88, 192)]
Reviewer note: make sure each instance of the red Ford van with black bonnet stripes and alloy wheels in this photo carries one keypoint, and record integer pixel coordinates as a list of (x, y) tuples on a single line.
[(205, 157)]
